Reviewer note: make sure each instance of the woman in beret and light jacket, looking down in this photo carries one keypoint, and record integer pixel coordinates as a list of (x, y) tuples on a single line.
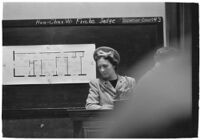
[(111, 86)]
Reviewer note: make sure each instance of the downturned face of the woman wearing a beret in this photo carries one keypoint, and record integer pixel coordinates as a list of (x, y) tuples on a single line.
[(106, 69)]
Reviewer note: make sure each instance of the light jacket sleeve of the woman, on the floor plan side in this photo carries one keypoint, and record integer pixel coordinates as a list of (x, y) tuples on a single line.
[(92, 102)]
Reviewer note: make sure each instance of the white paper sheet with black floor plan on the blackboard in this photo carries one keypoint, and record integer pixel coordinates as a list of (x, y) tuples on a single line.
[(48, 64)]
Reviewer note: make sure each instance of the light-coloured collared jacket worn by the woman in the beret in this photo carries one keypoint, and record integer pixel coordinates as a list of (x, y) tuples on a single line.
[(102, 94)]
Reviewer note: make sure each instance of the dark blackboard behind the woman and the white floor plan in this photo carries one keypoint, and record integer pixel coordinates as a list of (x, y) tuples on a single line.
[(132, 37)]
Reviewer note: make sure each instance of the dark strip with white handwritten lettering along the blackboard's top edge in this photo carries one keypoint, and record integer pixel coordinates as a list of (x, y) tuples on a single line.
[(81, 21)]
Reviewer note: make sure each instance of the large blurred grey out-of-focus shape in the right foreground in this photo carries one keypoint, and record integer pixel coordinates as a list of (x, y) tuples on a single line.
[(162, 106)]
